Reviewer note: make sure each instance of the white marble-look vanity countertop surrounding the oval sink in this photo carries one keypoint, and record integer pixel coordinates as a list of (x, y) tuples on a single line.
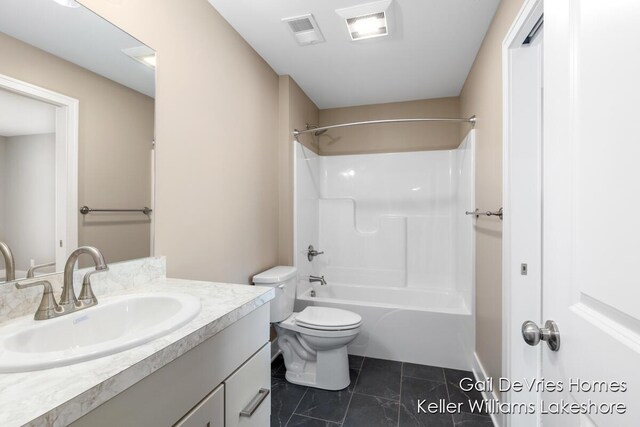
[(59, 396)]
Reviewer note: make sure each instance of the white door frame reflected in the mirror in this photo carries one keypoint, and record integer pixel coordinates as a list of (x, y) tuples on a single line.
[(67, 122)]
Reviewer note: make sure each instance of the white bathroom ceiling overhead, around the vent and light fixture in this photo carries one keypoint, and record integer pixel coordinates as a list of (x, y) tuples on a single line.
[(429, 54)]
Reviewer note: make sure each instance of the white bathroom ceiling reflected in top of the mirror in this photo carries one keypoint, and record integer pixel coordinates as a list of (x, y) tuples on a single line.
[(79, 36)]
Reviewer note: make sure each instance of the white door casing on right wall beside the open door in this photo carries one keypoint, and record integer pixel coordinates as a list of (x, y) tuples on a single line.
[(527, 17)]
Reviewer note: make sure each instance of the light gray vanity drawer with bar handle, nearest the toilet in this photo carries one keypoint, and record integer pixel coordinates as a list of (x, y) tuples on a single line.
[(248, 392)]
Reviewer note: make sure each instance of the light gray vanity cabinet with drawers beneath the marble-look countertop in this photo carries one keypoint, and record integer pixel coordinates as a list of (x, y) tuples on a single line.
[(224, 381)]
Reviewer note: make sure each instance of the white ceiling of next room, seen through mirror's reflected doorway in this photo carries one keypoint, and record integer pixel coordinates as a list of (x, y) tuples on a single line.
[(20, 115)]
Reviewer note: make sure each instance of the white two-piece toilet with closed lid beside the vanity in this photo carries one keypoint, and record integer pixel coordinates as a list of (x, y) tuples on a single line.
[(314, 341)]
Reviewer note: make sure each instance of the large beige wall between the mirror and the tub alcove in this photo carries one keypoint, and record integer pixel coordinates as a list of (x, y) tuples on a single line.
[(217, 140)]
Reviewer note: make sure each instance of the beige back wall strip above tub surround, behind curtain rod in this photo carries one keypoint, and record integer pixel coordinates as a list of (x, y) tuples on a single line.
[(391, 137)]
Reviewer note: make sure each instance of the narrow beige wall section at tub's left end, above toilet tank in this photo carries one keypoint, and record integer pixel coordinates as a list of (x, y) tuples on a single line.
[(296, 110)]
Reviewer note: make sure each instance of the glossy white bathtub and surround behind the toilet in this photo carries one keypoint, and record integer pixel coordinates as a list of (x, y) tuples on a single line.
[(398, 248)]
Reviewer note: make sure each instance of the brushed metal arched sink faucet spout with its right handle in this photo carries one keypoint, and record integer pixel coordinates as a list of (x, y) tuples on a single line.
[(68, 300)]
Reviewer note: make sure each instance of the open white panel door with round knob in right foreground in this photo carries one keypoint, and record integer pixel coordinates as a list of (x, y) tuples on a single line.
[(591, 208)]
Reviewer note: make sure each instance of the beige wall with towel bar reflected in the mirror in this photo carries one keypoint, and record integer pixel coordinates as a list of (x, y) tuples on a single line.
[(115, 132)]
